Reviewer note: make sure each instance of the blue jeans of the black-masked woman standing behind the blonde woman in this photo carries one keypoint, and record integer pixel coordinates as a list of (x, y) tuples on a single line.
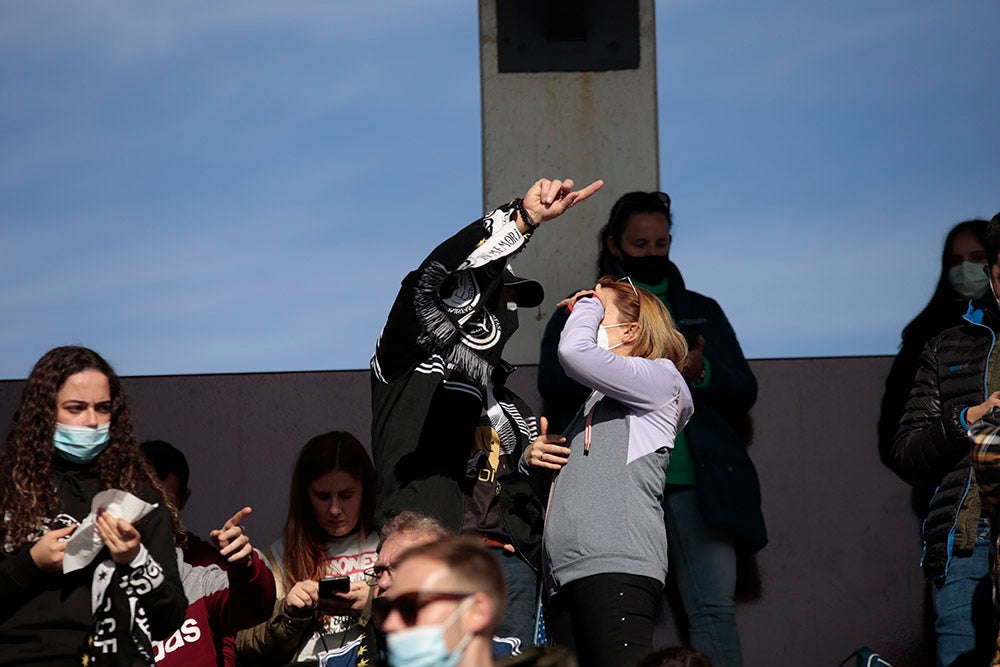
[(703, 560)]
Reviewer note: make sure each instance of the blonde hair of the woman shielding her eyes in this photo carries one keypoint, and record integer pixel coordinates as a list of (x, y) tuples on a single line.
[(657, 338)]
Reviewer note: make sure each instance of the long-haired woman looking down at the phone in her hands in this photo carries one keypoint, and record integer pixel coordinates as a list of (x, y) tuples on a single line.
[(329, 533)]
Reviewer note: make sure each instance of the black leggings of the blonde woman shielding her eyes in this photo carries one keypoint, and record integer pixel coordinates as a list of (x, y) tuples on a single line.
[(606, 619)]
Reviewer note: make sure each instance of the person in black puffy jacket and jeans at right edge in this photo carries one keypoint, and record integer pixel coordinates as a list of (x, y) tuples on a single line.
[(957, 383)]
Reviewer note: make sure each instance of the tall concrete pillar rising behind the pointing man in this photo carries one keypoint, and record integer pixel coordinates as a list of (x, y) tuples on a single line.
[(565, 97)]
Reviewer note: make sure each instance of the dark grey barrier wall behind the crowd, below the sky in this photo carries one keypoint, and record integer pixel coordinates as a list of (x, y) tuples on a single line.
[(841, 569)]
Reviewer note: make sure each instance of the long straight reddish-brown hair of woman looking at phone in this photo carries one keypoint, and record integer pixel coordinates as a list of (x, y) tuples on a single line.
[(305, 539)]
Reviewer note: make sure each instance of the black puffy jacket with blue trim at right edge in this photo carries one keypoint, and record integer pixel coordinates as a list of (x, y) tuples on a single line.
[(932, 446)]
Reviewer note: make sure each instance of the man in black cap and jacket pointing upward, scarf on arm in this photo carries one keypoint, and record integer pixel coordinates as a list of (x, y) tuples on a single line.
[(446, 432)]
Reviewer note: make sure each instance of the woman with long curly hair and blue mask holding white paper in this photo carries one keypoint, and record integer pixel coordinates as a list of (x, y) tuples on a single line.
[(72, 438)]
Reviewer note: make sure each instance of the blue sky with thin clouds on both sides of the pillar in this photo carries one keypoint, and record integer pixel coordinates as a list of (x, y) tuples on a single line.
[(226, 187)]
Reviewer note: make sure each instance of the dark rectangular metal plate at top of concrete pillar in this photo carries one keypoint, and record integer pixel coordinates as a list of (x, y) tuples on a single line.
[(567, 35)]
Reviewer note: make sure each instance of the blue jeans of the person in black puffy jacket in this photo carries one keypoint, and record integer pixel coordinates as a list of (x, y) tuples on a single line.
[(963, 607)]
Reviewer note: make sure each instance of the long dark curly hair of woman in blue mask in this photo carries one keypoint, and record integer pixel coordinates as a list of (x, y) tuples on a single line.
[(26, 474)]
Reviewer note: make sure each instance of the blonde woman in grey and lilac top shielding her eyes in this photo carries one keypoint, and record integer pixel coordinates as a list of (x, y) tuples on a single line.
[(605, 543)]
